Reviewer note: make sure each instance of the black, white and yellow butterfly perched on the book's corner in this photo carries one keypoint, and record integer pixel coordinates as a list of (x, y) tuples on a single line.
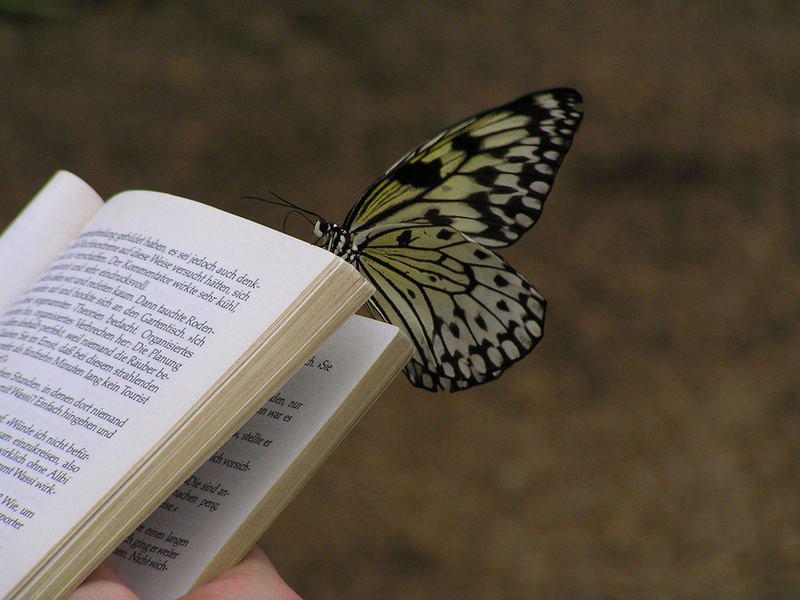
[(424, 235)]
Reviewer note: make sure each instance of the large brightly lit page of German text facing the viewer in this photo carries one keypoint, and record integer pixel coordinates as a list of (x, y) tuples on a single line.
[(115, 343)]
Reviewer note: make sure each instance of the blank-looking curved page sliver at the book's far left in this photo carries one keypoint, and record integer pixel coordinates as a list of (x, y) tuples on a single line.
[(55, 215)]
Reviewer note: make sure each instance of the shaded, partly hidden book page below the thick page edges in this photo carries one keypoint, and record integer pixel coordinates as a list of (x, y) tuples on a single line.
[(162, 558)]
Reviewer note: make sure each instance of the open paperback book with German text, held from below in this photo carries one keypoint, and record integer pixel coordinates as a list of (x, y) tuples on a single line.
[(137, 337)]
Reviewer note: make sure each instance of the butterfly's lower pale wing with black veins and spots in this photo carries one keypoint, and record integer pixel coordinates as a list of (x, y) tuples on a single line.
[(468, 312)]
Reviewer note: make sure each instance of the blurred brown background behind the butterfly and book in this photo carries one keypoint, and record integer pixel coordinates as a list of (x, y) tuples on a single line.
[(650, 446)]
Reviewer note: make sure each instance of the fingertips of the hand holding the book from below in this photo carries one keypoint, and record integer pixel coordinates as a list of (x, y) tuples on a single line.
[(255, 578)]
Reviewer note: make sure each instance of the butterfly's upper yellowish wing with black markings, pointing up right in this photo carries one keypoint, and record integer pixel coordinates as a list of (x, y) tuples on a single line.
[(487, 176)]
